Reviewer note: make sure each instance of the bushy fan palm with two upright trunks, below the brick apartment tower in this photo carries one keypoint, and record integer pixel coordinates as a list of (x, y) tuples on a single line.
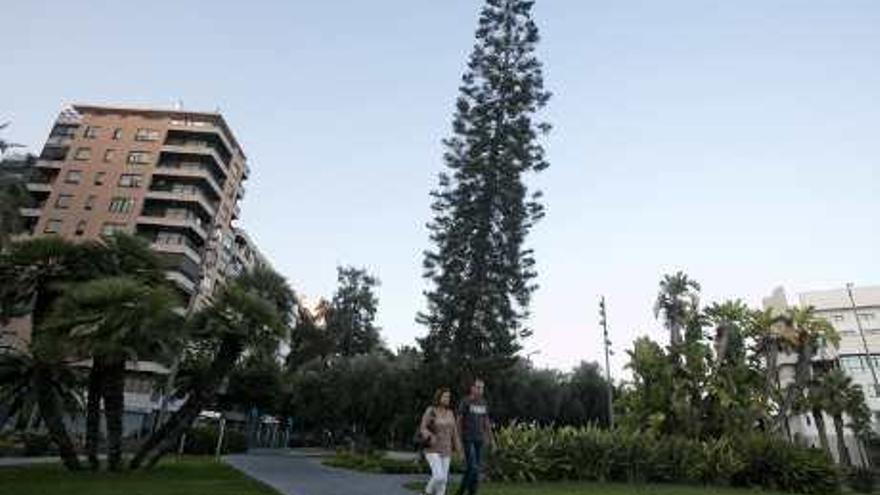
[(113, 321)]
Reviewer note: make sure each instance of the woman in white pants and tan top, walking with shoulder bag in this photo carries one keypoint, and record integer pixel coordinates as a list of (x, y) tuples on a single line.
[(440, 429)]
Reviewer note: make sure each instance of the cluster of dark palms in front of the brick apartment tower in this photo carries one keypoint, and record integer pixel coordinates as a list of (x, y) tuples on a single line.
[(96, 307)]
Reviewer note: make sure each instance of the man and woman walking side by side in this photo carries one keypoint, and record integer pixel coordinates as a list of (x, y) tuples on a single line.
[(445, 431)]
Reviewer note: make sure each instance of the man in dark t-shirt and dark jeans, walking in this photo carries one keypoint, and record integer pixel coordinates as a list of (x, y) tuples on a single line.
[(476, 431)]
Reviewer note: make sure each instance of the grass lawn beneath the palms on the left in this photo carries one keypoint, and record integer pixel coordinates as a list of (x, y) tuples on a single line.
[(192, 476)]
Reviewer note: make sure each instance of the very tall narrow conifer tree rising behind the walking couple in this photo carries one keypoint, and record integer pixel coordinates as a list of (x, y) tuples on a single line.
[(481, 274)]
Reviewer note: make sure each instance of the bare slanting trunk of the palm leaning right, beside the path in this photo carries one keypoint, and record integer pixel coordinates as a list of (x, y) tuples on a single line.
[(166, 437)]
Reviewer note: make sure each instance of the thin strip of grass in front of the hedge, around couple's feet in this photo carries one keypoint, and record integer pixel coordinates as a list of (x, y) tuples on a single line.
[(601, 489)]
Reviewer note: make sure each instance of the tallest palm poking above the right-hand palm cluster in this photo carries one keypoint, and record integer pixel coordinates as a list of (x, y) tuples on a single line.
[(677, 302)]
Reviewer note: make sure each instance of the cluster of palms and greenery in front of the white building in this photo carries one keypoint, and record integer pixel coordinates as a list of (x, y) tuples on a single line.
[(720, 373)]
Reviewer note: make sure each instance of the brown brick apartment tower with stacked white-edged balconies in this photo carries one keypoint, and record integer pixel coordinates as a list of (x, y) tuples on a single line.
[(173, 177)]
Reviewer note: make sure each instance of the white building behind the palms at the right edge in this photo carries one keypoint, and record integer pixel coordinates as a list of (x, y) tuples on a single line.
[(836, 306)]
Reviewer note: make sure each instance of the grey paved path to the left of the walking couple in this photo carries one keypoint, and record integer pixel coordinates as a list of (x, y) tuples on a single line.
[(293, 473)]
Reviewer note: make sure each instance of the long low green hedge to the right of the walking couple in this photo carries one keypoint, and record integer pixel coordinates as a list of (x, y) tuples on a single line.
[(530, 453)]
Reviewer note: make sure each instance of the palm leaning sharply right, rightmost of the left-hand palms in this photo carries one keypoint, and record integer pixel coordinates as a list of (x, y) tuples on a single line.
[(256, 306)]
